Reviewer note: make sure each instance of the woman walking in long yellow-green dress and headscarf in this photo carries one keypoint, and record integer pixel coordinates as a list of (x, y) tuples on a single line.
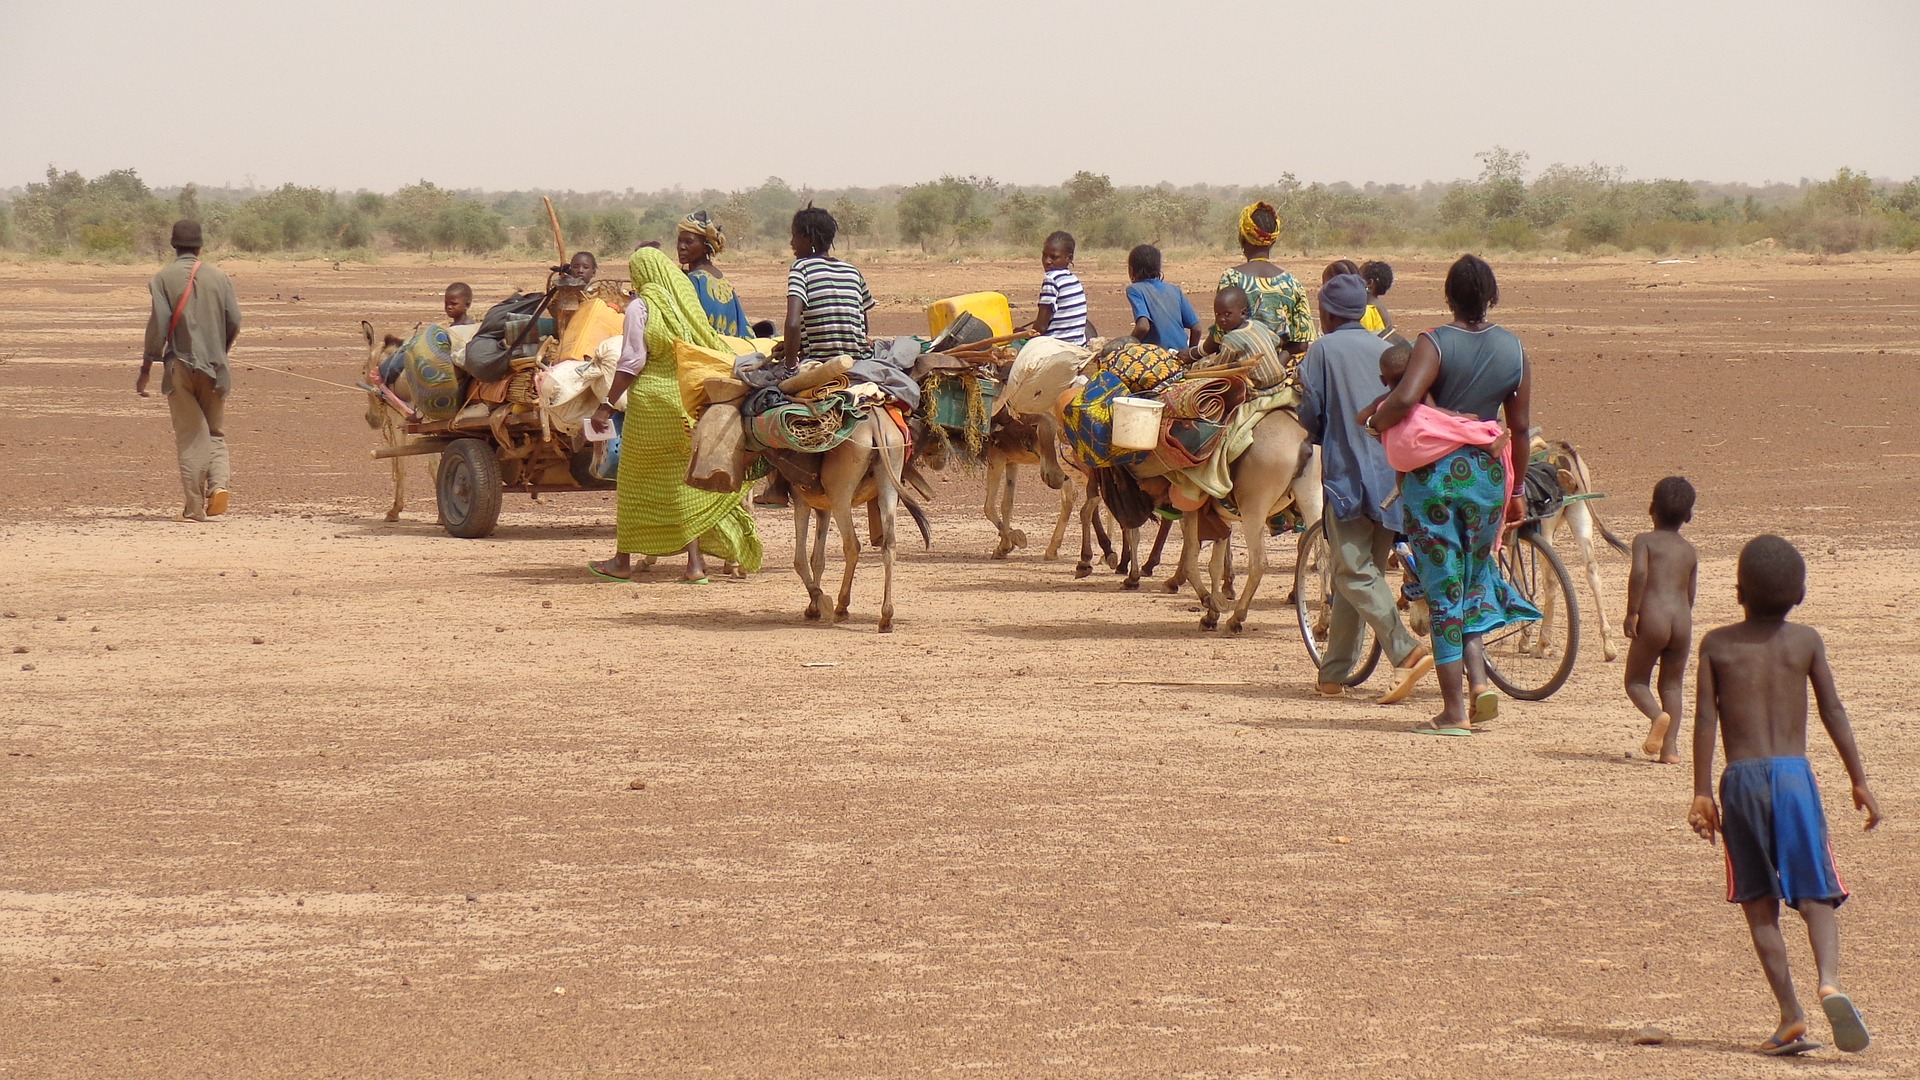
[(658, 512)]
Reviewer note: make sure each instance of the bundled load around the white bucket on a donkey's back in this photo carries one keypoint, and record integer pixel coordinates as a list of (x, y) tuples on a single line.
[(1207, 420)]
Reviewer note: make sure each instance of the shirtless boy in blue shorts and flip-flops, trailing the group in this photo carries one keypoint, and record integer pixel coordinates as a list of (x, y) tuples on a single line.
[(1754, 687)]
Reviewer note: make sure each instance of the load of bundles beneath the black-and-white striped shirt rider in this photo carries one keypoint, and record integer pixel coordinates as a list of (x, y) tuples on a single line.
[(757, 406)]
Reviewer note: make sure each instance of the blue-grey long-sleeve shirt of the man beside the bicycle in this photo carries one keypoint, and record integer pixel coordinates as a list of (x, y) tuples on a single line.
[(1341, 376)]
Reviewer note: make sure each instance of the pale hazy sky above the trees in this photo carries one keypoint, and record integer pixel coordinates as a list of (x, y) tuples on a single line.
[(725, 93)]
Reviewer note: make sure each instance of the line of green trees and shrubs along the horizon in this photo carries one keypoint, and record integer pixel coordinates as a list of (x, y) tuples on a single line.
[(1564, 209)]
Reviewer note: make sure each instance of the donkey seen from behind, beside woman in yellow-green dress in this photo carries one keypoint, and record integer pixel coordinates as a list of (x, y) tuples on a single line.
[(865, 470)]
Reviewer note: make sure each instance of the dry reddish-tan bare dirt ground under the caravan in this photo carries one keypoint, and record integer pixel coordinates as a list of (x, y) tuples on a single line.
[(302, 793)]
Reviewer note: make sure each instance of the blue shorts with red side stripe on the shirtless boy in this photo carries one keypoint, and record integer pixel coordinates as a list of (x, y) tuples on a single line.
[(1775, 833)]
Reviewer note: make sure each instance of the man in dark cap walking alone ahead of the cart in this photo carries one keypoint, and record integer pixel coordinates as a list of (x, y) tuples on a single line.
[(191, 326)]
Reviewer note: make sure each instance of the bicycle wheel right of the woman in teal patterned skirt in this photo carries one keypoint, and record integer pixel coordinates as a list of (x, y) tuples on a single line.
[(1533, 660)]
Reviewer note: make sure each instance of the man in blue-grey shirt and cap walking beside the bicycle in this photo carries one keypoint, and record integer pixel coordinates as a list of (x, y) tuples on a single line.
[(1341, 376)]
